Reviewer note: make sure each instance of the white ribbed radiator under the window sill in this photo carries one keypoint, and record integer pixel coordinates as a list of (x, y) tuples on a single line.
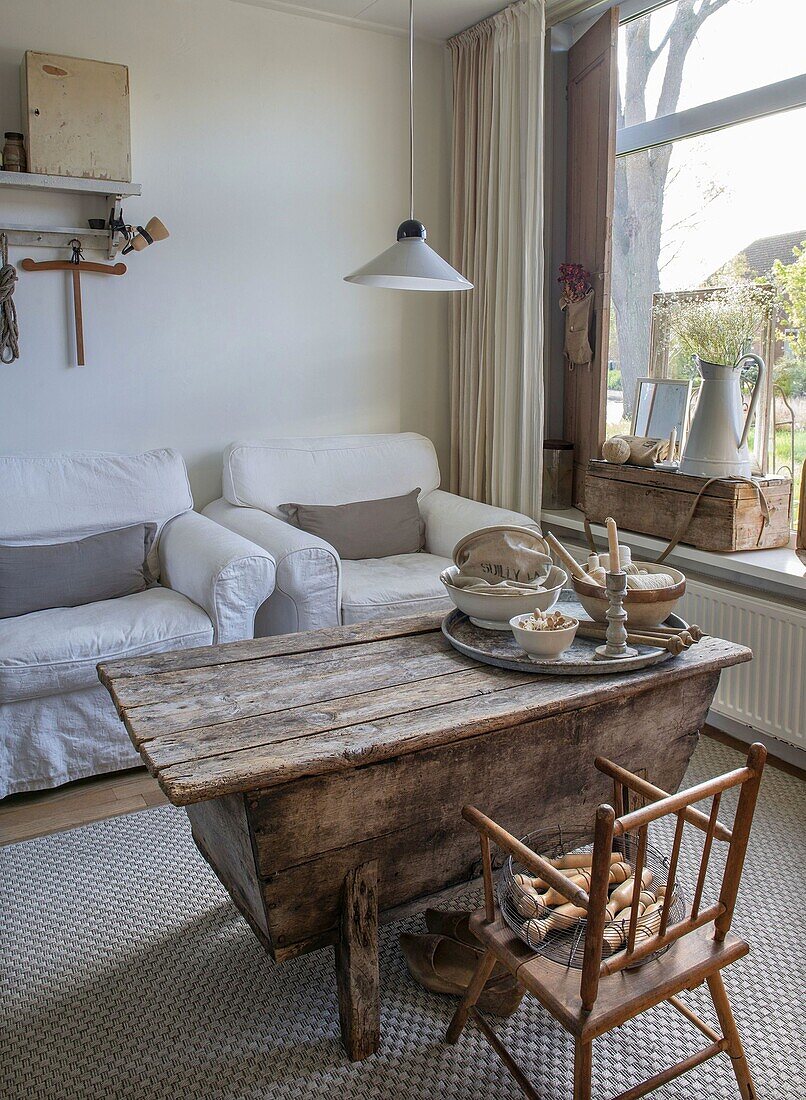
[(770, 692)]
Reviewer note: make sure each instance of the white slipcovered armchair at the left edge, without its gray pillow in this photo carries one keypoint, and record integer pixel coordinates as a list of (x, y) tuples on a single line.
[(57, 721)]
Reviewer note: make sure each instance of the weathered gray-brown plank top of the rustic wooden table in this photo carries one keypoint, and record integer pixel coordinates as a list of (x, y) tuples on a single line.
[(253, 716)]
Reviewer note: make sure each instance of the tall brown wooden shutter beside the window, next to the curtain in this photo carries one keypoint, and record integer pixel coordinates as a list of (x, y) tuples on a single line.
[(590, 194)]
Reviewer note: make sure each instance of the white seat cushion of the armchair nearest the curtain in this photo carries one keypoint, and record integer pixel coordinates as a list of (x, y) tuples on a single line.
[(383, 588)]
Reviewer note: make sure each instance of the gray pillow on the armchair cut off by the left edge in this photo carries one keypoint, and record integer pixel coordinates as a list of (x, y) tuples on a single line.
[(67, 575)]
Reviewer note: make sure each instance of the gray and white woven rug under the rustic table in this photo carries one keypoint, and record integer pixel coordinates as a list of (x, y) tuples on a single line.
[(127, 973)]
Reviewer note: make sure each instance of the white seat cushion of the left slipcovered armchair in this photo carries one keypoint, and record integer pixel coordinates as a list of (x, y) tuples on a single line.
[(58, 651)]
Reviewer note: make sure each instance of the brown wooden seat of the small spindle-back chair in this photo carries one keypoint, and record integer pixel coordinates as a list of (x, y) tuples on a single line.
[(622, 996)]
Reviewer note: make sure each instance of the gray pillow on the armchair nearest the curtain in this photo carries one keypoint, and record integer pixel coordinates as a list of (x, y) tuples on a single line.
[(365, 530)]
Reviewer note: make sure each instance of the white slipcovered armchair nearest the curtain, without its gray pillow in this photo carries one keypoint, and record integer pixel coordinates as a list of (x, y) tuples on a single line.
[(314, 588)]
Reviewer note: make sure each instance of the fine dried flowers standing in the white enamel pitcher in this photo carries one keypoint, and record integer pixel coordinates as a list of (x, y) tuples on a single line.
[(721, 326)]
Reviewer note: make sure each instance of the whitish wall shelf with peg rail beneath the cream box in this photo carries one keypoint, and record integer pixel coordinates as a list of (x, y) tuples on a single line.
[(102, 240)]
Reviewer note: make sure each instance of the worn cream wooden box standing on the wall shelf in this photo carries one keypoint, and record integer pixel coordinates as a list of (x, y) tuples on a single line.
[(75, 116)]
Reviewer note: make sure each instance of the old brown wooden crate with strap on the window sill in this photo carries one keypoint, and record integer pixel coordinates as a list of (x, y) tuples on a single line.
[(655, 502)]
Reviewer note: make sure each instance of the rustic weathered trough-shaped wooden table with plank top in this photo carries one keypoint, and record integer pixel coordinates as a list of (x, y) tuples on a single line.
[(324, 774)]
